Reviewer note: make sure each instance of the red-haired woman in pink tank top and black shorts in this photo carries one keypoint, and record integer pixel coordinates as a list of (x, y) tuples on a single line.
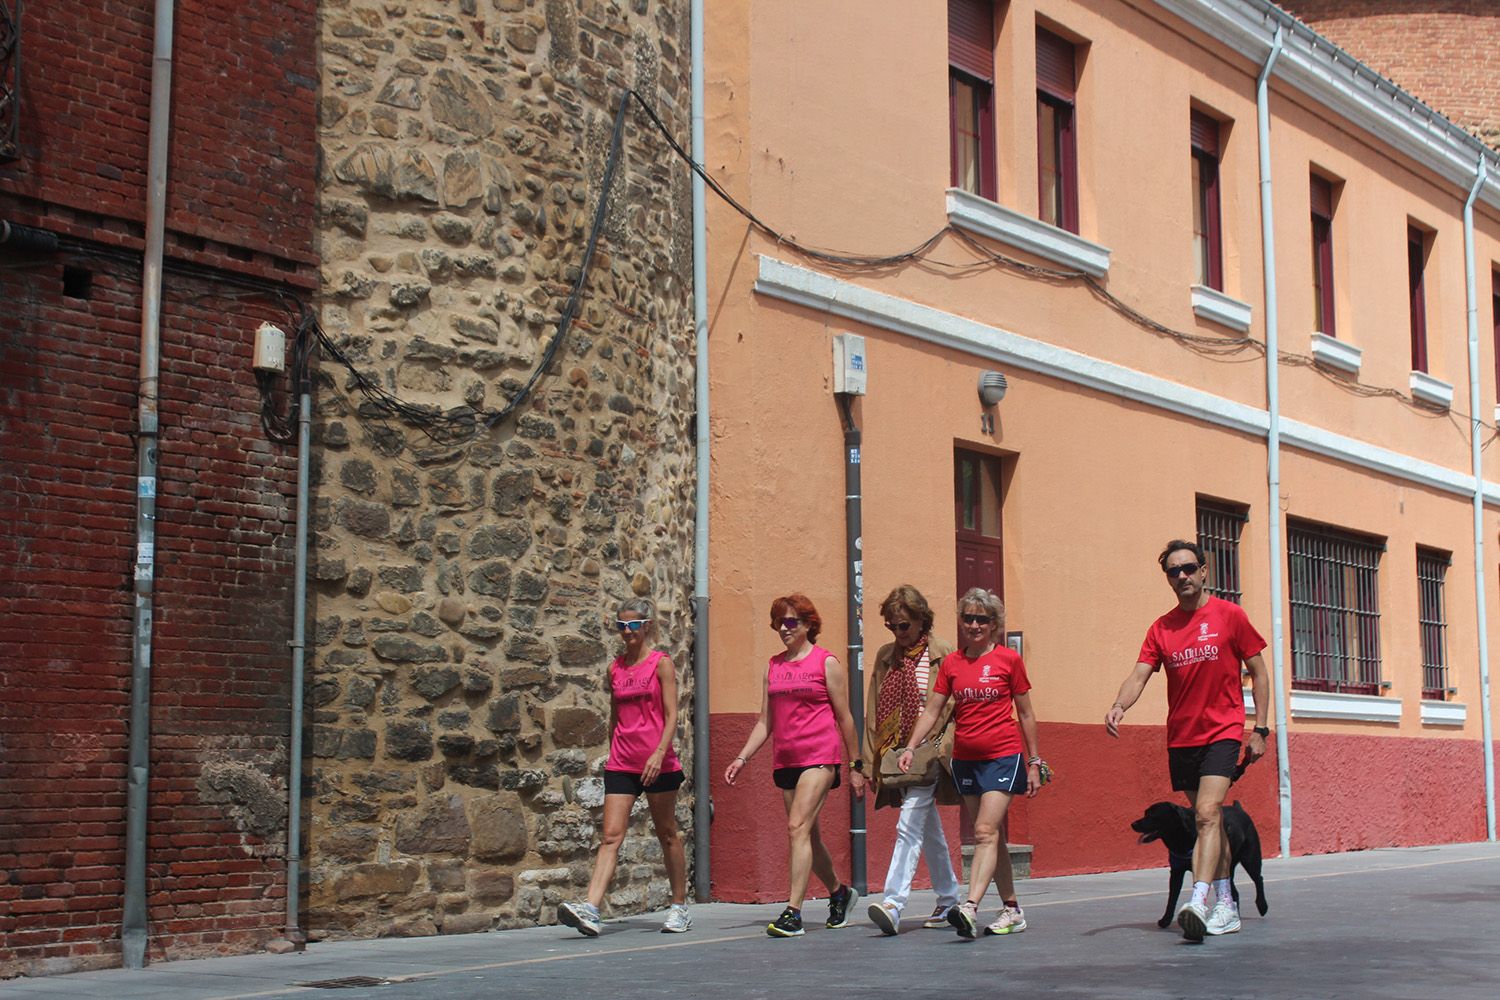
[(805, 711)]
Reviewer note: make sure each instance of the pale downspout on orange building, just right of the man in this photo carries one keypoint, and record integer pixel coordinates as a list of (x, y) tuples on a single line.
[(1268, 248)]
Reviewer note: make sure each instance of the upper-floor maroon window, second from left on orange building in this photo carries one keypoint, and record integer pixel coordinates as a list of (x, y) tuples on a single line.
[(1057, 148)]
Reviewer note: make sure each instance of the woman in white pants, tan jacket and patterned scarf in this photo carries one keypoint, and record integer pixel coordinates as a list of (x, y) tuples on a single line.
[(901, 683)]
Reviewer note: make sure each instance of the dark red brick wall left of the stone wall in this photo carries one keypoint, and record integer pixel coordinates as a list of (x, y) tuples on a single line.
[(241, 194)]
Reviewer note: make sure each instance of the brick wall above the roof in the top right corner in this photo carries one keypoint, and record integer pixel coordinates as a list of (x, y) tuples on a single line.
[(1444, 52)]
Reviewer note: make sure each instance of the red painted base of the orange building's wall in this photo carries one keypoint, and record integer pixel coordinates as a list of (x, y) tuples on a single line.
[(1351, 792)]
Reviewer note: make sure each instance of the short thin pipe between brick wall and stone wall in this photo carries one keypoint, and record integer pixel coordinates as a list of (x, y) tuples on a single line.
[(299, 645)]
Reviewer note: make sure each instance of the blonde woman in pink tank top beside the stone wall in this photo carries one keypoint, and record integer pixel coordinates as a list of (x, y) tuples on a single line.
[(643, 711)]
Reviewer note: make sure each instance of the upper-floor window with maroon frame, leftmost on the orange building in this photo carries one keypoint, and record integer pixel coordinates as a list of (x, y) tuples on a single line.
[(971, 97)]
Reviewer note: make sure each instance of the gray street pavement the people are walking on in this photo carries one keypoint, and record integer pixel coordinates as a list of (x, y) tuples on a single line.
[(1415, 924)]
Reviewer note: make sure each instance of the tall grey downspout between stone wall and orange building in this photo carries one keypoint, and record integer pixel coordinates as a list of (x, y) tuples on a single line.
[(703, 777)]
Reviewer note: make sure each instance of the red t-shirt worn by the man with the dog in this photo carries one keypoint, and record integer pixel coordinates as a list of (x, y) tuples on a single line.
[(1204, 651)]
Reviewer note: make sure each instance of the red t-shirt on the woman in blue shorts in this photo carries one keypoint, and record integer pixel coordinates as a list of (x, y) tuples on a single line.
[(985, 725)]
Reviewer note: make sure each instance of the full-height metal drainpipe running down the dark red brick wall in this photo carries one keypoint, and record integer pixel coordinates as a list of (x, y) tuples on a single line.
[(133, 920)]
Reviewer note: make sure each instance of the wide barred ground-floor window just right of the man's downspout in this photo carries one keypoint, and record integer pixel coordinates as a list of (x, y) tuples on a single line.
[(1336, 609)]
